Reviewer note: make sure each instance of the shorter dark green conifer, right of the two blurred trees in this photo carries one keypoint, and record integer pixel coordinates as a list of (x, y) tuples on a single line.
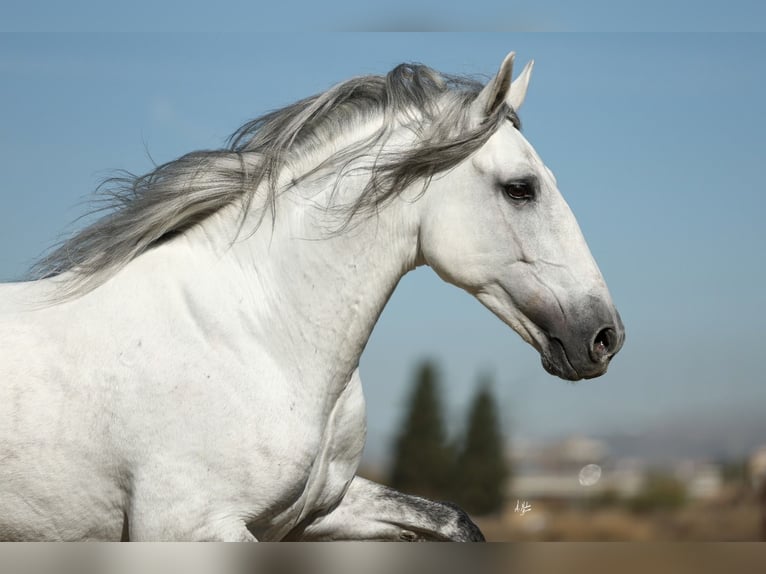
[(481, 470)]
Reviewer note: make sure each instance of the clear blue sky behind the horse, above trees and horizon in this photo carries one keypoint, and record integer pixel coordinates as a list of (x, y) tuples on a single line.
[(657, 142)]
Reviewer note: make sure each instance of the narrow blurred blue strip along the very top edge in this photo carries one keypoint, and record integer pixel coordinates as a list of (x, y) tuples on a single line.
[(298, 16)]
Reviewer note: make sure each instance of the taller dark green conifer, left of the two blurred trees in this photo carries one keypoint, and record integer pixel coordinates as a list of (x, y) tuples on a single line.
[(422, 458)]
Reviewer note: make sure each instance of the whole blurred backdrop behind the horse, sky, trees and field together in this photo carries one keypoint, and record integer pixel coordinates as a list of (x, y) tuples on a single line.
[(657, 144)]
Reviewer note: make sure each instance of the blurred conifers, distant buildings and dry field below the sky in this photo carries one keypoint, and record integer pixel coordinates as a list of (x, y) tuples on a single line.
[(650, 486)]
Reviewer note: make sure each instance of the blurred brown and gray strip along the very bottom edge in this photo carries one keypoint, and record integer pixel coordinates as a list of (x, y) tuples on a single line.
[(374, 558)]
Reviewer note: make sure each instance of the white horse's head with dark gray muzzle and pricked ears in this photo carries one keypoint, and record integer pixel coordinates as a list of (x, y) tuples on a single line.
[(498, 227)]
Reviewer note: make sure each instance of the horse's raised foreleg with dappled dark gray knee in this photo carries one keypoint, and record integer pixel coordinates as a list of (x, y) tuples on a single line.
[(371, 511)]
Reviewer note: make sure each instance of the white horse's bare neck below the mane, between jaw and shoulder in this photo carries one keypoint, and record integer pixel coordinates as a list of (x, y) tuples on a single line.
[(310, 296)]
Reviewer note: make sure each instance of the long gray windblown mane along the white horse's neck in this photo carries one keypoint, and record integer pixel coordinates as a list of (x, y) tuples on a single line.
[(146, 210)]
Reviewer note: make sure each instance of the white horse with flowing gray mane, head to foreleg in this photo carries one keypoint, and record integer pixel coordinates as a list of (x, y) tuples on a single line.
[(186, 367)]
